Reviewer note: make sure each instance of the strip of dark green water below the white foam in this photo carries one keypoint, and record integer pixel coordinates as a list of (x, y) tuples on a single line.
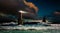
[(30, 31)]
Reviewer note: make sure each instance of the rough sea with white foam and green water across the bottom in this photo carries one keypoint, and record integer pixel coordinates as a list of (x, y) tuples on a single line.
[(28, 28)]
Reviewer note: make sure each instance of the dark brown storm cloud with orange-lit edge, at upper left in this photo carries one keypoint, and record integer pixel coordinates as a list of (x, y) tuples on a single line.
[(13, 6)]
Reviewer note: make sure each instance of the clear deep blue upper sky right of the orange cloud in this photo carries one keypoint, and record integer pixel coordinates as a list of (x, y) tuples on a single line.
[(46, 7)]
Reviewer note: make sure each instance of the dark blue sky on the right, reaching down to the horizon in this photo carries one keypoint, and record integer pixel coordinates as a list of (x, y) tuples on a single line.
[(47, 8)]
